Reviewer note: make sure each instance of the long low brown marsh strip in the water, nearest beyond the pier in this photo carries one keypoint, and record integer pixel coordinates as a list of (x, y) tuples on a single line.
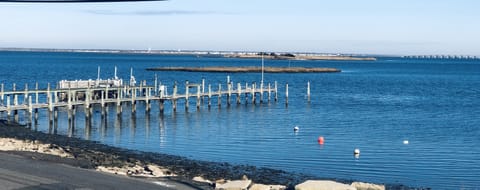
[(248, 69)]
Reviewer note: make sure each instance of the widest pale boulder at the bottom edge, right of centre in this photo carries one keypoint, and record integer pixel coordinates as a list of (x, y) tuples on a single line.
[(323, 185)]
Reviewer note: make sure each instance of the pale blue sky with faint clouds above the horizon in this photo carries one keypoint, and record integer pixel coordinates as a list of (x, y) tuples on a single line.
[(341, 26)]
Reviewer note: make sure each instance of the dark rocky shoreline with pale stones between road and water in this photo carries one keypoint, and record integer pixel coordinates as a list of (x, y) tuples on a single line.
[(93, 155)]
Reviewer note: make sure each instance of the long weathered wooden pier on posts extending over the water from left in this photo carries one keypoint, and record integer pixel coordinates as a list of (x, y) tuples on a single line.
[(33, 100)]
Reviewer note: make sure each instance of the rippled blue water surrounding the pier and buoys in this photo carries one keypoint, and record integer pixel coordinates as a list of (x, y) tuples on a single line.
[(372, 105)]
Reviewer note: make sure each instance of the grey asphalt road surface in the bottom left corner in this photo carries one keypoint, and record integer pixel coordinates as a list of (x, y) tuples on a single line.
[(23, 172)]
